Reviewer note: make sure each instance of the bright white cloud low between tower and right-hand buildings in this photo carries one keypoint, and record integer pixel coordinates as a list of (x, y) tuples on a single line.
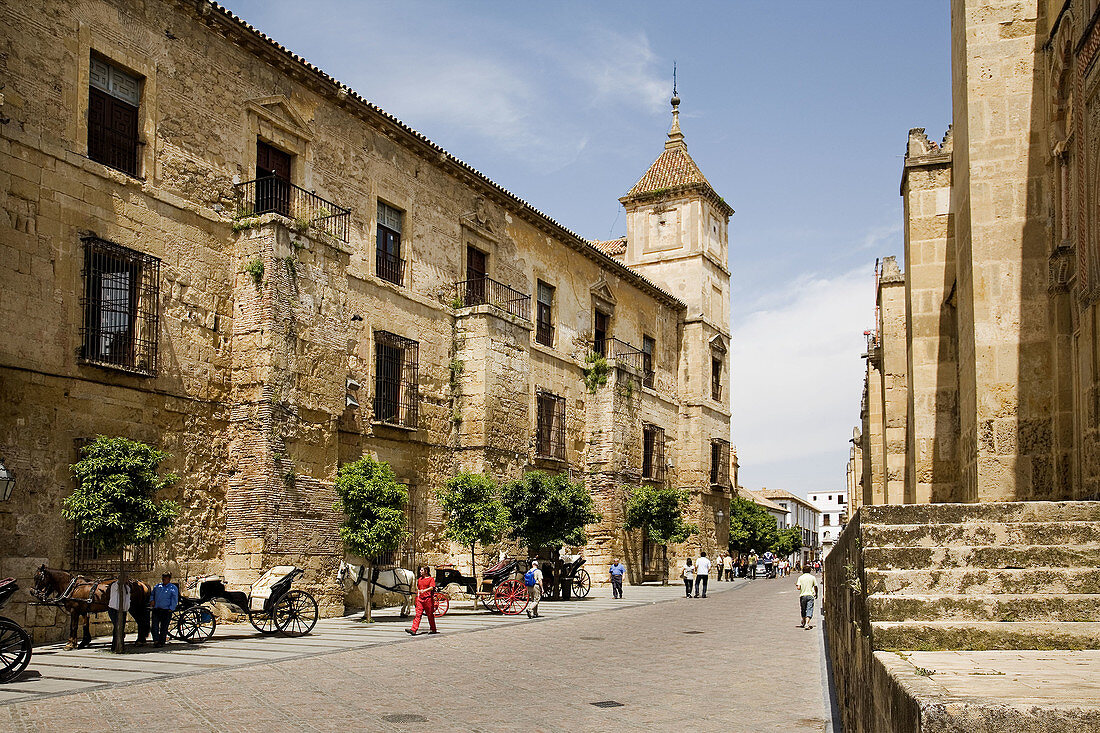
[(798, 380)]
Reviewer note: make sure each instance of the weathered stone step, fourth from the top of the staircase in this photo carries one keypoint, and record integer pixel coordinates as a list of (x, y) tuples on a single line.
[(984, 582)]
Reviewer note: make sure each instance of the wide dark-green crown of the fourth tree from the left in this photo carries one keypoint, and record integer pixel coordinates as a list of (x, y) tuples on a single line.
[(548, 510)]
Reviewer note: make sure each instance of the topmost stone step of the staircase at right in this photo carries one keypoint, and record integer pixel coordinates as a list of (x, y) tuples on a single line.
[(991, 512)]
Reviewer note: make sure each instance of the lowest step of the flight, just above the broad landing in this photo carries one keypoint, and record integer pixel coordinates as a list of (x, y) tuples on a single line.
[(938, 636)]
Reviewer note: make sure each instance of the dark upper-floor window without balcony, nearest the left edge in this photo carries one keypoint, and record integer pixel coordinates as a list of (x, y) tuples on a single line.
[(113, 117)]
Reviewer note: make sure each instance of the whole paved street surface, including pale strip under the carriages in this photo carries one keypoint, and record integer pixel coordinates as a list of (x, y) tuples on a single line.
[(750, 670)]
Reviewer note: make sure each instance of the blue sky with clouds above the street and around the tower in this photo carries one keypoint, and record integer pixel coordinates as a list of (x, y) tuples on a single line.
[(797, 112)]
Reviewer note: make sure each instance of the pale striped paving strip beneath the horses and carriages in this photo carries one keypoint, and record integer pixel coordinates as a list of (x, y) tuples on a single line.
[(53, 671)]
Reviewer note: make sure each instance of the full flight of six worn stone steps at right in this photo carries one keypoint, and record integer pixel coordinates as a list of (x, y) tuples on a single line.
[(1013, 576)]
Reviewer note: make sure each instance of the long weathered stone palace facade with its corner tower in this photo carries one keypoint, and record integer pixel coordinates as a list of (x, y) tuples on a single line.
[(213, 247)]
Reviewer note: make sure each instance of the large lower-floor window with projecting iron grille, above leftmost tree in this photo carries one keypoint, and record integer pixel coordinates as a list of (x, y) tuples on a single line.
[(122, 297)]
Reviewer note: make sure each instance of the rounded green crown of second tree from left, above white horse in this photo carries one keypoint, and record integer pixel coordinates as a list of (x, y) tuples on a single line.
[(375, 508)]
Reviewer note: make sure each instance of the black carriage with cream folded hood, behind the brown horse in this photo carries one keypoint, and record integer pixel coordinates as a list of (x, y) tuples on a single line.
[(272, 607)]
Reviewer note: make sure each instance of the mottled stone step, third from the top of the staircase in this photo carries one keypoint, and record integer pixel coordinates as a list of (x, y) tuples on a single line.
[(985, 556)]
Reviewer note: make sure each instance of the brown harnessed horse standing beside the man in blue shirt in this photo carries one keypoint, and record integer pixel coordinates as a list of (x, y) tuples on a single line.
[(82, 598)]
